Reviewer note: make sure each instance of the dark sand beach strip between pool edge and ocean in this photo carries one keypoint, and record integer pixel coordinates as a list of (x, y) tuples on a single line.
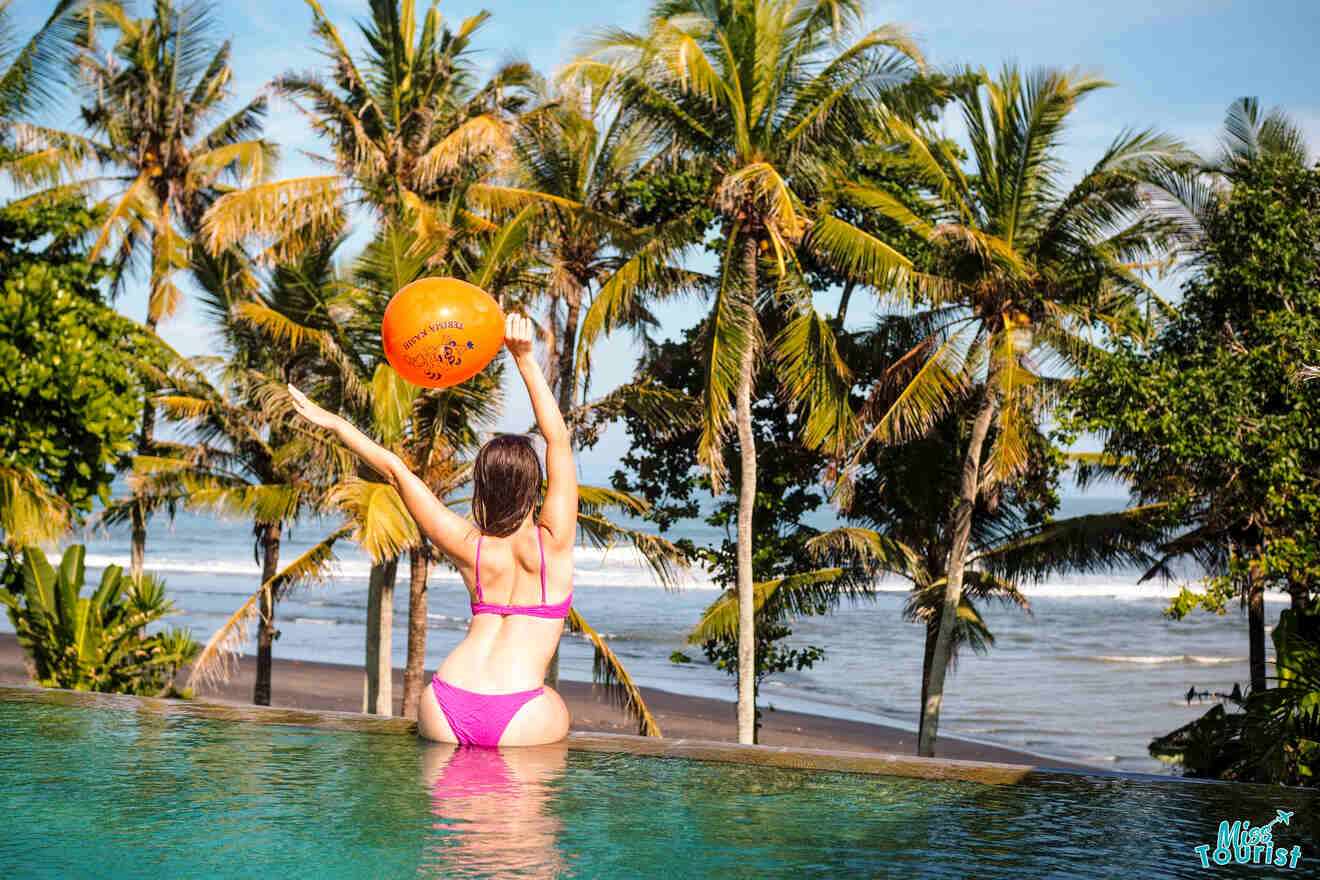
[(312, 685)]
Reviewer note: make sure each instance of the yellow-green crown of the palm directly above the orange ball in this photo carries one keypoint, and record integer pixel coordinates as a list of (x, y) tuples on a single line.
[(409, 127)]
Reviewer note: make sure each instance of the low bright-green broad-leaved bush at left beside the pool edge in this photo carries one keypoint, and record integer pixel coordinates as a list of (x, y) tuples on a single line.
[(98, 642)]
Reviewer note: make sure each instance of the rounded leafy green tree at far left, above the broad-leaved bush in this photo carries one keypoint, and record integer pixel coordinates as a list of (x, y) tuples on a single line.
[(69, 393)]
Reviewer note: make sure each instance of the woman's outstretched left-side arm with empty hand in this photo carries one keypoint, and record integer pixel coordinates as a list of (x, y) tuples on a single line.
[(449, 532)]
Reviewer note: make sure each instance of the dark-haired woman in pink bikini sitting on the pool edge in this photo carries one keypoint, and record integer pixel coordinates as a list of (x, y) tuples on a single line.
[(518, 569)]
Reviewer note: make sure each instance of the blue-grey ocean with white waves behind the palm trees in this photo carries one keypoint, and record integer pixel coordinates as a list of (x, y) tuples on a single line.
[(1094, 674)]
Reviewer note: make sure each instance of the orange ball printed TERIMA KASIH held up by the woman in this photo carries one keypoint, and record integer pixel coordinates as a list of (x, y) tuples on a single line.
[(442, 332)]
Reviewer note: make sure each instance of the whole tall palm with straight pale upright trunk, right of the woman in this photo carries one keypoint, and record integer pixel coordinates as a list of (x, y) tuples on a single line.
[(770, 97)]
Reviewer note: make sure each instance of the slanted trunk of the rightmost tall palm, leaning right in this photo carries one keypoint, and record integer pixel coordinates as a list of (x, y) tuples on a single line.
[(960, 532)]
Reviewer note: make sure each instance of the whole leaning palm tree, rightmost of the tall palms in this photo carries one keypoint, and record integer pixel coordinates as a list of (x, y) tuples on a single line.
[(1026, 275)]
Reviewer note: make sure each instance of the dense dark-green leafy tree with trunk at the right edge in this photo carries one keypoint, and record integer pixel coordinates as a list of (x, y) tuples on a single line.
[(1211, 420)]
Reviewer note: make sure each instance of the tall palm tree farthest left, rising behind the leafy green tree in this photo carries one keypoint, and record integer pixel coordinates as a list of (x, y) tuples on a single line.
[(163, 81)]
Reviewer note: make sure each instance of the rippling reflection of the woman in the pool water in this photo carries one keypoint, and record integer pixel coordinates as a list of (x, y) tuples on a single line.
[(492, 811)]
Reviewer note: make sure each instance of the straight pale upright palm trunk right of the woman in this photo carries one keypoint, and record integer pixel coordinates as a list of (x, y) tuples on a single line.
[(746, 502)]
